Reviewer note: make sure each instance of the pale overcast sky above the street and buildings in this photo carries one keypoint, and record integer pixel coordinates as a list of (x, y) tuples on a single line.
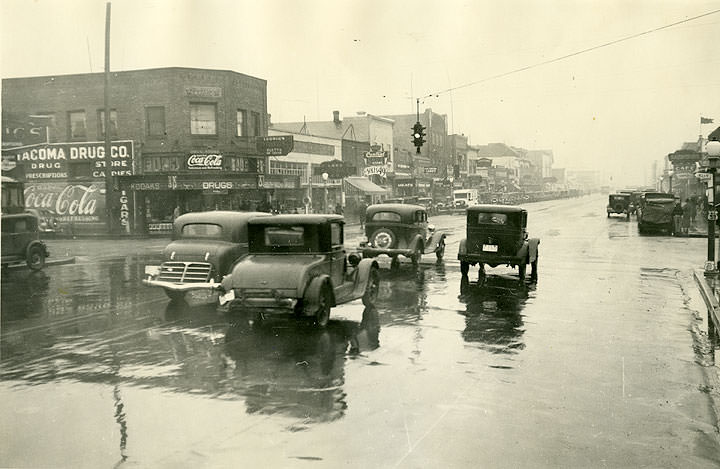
[(498, 69)]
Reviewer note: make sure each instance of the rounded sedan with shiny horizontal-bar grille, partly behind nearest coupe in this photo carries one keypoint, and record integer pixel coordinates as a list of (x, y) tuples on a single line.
[(204, 247)]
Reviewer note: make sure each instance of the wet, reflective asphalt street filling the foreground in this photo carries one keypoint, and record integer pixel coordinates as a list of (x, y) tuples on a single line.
[(603, 362)]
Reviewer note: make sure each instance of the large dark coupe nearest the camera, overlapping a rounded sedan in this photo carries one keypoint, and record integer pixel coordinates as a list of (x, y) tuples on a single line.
[(297, 266)]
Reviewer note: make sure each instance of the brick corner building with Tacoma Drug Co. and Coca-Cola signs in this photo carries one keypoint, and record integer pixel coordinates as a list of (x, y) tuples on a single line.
[(184, 138)]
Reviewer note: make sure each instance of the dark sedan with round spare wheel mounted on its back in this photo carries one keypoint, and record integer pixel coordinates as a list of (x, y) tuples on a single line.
[(400, 230)]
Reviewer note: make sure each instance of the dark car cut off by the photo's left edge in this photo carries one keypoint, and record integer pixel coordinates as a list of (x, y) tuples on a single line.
[(20, 231)]
